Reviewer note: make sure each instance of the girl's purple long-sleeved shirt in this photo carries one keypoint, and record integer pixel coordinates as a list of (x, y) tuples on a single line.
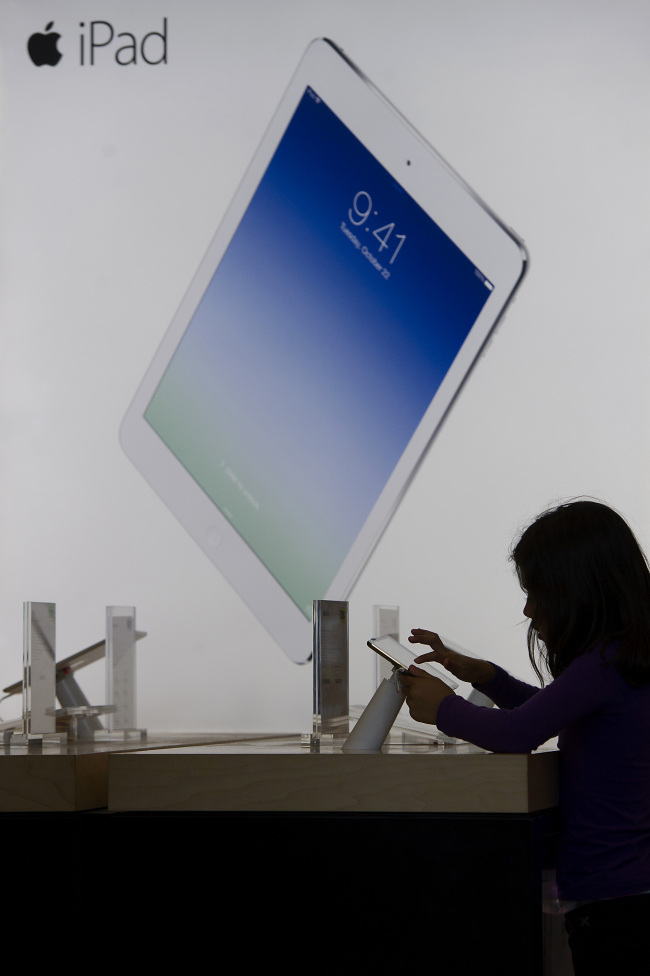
[(604, 740)]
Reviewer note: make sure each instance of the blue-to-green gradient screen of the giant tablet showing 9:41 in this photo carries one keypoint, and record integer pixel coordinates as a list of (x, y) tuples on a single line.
[(320, 342)]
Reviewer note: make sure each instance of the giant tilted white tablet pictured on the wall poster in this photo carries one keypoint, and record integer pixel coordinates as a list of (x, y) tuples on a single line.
[(348, 291)]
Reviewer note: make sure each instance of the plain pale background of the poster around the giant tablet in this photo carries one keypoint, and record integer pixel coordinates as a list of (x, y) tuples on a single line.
[(113, 181)]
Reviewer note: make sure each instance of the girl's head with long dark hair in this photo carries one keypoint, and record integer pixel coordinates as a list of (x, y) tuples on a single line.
[(589, 585)]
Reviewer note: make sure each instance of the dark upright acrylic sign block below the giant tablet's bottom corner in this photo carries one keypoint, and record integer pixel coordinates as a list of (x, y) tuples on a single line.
[(330, 656)]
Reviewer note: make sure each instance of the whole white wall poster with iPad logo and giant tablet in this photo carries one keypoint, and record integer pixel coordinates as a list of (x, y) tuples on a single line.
[(251, 357)]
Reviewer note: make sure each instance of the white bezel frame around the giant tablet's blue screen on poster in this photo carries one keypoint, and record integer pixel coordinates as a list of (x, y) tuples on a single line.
[(464, 218)]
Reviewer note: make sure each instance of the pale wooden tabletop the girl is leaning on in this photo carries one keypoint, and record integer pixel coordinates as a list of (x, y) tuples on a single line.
[(278, 774)]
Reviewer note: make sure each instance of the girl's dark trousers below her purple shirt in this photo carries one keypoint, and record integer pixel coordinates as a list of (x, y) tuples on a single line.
[(611, 937)]
